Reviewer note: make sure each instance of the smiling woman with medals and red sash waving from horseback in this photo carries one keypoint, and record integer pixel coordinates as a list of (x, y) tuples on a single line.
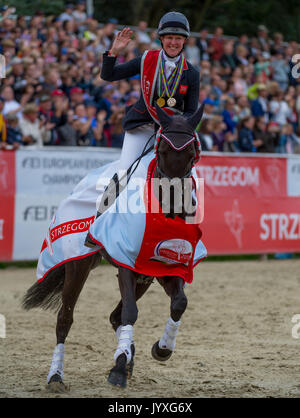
[(167, 79)]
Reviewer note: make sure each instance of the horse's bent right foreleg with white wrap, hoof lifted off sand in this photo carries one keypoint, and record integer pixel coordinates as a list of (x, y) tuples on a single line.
[(163, 349)]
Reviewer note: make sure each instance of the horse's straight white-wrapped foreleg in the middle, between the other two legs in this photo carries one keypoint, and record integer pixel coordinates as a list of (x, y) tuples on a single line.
[(124, 352)]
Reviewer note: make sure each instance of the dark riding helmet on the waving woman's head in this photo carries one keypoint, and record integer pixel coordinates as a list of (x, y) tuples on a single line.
[(174, 23)]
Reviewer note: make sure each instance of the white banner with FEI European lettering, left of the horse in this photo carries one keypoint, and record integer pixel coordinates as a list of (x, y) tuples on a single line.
[(43, 179)]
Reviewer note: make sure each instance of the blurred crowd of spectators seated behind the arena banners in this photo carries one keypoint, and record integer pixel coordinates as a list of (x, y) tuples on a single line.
[(52, 93)]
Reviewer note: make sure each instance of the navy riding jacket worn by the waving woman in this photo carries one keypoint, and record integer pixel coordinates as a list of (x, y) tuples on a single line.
[(137, 114)]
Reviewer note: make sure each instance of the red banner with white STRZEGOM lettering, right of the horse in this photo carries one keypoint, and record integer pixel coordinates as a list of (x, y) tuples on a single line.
[(247, 209)]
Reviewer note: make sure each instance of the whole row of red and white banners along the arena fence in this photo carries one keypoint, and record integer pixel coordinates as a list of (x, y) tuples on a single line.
[(251, 202)]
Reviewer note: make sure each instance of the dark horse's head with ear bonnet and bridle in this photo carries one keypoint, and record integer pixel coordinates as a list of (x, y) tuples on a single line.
[(177, 146)]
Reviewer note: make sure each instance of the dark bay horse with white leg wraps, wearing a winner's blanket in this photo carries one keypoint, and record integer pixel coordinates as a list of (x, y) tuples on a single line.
[(177, 149)]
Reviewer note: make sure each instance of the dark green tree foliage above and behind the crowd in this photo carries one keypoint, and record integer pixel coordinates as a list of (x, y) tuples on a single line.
[(235, 16)]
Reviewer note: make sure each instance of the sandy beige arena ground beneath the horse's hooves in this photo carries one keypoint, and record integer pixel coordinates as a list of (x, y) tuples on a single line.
[(235, 338)]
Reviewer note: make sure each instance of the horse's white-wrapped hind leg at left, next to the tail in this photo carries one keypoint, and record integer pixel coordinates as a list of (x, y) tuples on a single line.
[(76, 273)]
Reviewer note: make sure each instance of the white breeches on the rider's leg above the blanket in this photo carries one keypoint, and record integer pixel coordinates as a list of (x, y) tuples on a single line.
[(134, 143)]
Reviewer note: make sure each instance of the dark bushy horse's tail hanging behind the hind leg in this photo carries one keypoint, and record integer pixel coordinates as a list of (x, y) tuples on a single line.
[(47, 293)]
